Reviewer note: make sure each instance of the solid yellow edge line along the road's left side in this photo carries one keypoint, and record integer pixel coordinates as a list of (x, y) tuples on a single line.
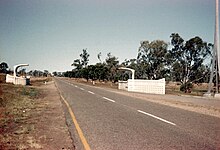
[(80, 133)]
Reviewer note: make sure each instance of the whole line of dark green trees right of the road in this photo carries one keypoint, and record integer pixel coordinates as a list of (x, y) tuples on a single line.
[(180, 61)]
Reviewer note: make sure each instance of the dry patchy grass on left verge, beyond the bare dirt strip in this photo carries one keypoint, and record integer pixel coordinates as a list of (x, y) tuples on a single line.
[(16, 104)]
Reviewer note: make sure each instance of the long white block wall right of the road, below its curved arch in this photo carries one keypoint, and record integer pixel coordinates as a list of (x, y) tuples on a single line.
[(144, 86)]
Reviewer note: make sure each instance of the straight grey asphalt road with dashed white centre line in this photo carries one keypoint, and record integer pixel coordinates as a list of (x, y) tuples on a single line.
[(112, 121)]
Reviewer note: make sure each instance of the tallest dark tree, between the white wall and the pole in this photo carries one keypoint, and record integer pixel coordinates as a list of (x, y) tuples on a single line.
[(188, 57)]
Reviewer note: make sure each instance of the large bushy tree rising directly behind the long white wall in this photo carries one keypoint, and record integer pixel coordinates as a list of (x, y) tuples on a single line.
[(152, 59)]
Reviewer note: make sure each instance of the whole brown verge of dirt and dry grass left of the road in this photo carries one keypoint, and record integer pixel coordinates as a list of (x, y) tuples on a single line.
[(32, 117)]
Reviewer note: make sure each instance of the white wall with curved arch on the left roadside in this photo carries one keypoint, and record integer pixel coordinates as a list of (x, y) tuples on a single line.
[(15, 79)]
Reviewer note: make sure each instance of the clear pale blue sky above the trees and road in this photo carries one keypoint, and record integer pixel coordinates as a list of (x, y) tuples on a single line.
[(51, 34)]
